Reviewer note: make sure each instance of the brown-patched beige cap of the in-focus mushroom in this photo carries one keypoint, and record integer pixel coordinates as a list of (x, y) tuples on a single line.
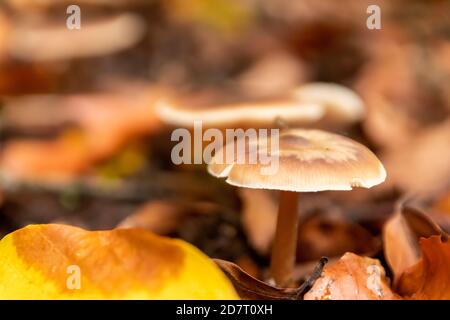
[(308, 160)]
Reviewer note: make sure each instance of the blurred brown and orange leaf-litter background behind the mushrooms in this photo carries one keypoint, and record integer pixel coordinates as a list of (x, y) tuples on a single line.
[(82, 144)]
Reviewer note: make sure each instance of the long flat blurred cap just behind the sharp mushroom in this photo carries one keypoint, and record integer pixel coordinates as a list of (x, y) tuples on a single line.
[(184, 113)]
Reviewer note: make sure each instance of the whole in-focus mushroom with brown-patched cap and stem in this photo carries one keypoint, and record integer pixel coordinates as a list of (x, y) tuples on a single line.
[(308, 161)]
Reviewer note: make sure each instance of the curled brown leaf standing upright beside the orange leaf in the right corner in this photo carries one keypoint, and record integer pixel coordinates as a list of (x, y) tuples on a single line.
[(401, 235)]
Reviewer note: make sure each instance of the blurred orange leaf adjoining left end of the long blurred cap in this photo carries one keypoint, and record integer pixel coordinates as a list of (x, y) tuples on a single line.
[(129, 115)]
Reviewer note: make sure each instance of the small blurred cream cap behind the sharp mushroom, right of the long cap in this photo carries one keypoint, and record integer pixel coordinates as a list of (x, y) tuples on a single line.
[(342, 104)]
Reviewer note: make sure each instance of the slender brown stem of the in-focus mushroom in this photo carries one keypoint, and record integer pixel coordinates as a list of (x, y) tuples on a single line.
[(285, 242)]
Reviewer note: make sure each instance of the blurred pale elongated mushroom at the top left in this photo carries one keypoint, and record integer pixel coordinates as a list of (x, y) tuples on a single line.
[(96, 38)]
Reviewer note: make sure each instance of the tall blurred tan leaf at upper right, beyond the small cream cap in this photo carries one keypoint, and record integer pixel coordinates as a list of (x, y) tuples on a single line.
[(391, 100)]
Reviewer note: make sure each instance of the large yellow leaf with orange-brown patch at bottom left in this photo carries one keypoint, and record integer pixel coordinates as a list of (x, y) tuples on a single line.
[(38, 262)]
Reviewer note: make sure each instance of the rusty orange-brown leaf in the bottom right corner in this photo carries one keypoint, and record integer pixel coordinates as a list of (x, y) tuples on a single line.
[(430, 278)]
